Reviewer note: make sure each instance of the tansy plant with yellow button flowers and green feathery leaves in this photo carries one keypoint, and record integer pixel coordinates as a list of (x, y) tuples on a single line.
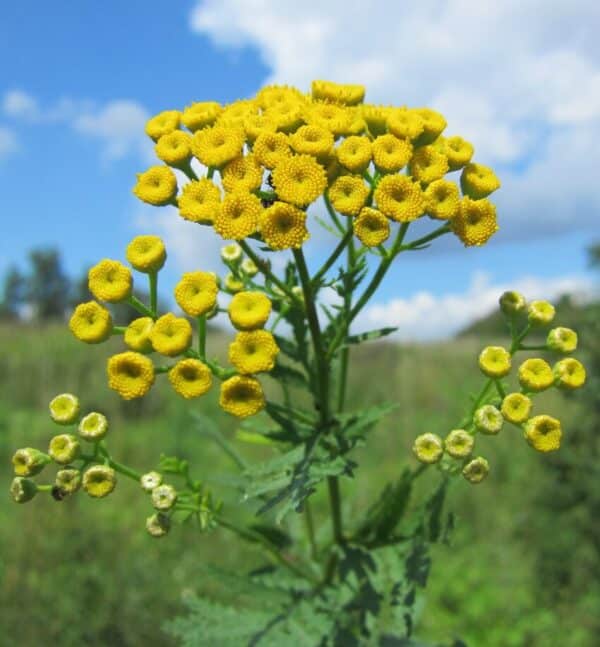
[(265, 160)]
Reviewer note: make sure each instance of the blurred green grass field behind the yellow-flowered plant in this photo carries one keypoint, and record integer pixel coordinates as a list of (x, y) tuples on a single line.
[(84, 572)]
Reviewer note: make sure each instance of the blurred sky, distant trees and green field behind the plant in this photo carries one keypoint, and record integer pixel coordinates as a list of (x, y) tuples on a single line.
[(521, 81)]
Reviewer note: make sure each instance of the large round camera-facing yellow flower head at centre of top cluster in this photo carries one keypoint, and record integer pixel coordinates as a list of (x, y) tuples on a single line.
[(299, 180)]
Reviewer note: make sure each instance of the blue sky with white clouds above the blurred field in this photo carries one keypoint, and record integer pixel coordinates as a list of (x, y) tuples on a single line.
[(78, 81)]
